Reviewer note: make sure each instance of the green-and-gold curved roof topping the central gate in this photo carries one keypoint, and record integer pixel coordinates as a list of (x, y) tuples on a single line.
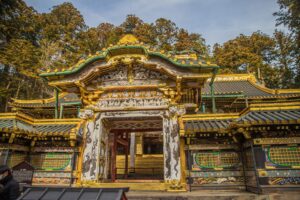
[(129, 45)]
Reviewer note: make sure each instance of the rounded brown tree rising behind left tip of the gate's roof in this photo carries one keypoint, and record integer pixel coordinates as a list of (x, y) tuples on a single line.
[(63, 25)]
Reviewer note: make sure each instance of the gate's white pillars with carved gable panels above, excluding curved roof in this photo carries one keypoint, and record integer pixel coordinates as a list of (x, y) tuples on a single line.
[(125, 99)]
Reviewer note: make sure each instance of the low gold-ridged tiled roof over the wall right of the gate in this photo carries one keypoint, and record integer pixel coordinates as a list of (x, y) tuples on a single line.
[(263, 114)]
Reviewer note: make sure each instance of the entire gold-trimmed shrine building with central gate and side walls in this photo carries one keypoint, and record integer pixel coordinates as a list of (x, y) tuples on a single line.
[(135, 116)]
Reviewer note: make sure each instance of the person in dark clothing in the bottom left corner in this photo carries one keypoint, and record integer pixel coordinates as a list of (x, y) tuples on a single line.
[(9, 188)]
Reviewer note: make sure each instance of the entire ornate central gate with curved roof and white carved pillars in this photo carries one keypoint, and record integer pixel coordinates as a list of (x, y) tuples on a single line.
[(131, 81)]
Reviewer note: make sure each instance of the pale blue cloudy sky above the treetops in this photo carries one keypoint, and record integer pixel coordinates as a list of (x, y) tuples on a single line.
[(216, 20)]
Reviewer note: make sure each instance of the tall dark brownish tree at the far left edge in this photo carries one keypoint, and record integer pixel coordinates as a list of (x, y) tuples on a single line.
[(19, 53)]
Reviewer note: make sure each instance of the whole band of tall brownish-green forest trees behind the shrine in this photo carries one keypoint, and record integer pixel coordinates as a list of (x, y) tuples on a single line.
[(32, 42)]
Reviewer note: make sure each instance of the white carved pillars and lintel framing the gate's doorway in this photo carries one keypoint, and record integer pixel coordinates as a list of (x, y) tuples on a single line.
[(96, 159)]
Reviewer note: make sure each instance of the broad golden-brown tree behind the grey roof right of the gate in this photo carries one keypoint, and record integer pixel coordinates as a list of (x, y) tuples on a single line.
[(247, 54)]
